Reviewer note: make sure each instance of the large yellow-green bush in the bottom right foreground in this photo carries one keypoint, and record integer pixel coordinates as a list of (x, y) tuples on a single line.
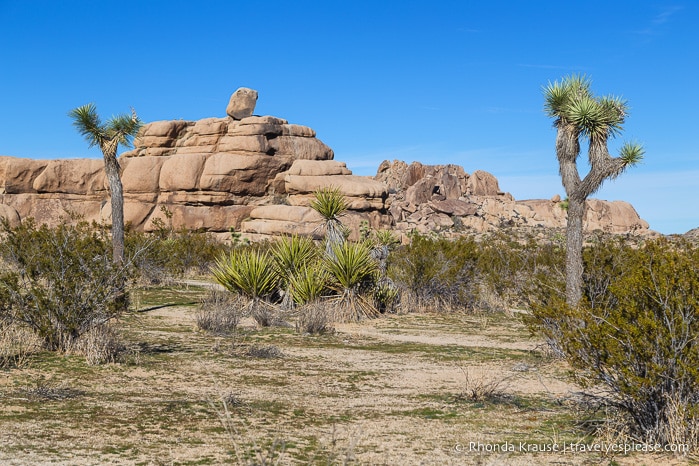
[(636, 335)]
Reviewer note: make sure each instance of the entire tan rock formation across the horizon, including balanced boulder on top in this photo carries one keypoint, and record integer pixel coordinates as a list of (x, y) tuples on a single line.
[(256, 175)]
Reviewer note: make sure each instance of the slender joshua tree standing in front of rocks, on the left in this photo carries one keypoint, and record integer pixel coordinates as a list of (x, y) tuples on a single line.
[(107, 136)]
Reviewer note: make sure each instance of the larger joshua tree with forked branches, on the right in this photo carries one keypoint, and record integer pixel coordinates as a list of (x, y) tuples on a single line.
[(577, 114)]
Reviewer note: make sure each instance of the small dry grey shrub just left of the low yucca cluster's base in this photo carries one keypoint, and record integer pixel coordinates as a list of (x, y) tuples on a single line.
[(220, 312)]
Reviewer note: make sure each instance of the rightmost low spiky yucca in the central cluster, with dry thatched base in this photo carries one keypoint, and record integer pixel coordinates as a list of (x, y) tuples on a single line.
[(352, 272)]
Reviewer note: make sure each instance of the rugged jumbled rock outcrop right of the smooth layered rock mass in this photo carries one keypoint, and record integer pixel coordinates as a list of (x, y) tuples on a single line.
[(428, 198)]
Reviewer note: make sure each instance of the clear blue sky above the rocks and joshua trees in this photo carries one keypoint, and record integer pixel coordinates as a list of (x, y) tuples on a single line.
[(434, 81)]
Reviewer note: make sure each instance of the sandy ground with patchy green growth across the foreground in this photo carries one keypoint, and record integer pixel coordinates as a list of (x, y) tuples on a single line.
[(376, 392)]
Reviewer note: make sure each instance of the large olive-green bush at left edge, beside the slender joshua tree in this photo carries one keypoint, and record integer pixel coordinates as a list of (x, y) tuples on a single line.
[(61, 281)]
